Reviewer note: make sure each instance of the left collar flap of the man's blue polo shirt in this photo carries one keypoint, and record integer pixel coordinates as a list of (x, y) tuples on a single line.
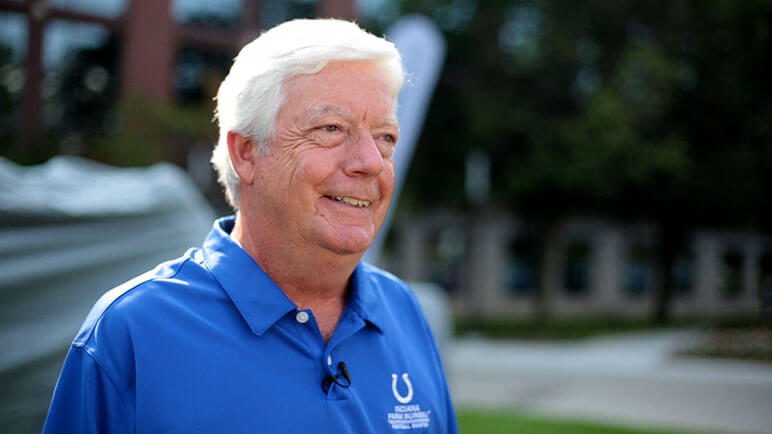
[(259, 300)]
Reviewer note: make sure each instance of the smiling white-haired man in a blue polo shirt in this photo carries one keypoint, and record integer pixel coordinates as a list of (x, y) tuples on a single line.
[(275, 325)]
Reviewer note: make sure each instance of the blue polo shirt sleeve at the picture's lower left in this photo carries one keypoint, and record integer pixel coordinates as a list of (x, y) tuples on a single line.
[(86, 400)]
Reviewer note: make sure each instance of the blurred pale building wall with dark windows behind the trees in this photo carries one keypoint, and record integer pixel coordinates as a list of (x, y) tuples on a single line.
[(619, 271)]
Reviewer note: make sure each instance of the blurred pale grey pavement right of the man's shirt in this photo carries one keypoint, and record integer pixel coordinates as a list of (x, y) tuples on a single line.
[(630, 379)]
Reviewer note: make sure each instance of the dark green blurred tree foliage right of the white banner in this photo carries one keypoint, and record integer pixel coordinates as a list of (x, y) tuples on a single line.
[(631, 109)]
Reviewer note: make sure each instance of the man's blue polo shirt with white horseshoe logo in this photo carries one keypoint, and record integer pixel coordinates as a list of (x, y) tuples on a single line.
[(208, 343)]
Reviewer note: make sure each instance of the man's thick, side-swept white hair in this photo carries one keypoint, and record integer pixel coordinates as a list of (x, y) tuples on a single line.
[(252, 94)]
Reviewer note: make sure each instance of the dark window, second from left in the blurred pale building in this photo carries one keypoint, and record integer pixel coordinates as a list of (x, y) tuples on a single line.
[(522, 271)]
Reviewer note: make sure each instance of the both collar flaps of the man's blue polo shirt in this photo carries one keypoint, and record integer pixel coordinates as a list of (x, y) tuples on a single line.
[(259, 300)]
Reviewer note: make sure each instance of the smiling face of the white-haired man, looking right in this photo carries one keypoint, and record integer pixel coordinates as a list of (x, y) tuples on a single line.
[(328, 176)]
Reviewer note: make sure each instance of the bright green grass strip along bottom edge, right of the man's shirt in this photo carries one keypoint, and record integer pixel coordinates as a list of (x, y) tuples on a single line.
[(472, 421)]
